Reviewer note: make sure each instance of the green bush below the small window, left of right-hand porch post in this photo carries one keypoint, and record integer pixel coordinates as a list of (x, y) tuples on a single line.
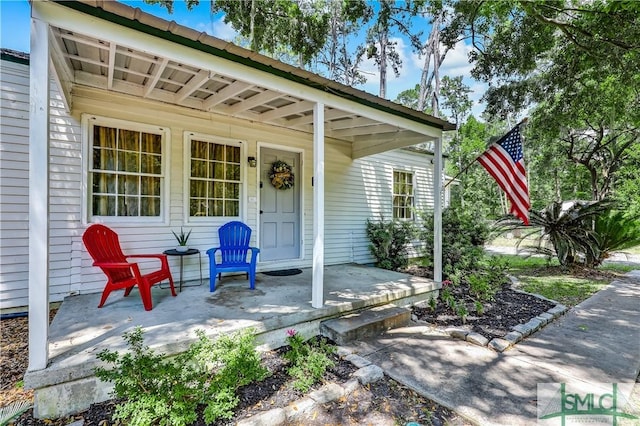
[(389, 241)]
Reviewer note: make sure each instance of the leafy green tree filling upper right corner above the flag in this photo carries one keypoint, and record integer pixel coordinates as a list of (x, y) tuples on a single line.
[(575, 64)]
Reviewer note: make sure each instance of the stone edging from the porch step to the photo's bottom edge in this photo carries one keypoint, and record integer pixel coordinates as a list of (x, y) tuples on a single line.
[(366, 373)]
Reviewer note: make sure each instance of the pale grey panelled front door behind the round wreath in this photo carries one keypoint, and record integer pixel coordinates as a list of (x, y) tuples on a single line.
[(279, 209)]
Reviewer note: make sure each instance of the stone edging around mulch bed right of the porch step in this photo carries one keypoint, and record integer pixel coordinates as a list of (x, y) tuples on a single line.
[(518, 332)]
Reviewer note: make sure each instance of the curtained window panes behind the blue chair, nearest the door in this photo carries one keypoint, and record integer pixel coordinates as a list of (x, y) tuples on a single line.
[(214, 184)]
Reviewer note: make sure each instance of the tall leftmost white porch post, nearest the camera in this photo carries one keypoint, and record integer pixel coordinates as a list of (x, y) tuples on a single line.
[(39, 196)]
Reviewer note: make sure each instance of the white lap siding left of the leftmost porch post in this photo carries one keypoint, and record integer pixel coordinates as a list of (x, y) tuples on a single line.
[(14, 181)]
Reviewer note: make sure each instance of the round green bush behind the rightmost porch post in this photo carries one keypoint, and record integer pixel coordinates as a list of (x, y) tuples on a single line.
[(463, 238)]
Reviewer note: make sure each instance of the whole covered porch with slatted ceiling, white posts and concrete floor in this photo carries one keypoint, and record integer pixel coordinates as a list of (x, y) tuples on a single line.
[(115, 61)]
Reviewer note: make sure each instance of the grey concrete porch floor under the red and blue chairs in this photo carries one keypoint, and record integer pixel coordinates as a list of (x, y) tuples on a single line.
[(80, 330)]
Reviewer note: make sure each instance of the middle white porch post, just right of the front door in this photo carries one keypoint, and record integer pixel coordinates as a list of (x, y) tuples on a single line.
[(317, 292)]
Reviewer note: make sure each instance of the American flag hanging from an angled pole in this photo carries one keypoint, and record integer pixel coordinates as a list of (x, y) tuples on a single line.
[(504, 161)]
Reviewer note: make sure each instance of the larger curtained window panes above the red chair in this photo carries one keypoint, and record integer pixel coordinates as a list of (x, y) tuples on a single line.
[(126, 172)]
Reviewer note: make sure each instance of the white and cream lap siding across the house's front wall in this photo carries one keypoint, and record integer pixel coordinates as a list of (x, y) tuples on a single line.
[(355, 189)]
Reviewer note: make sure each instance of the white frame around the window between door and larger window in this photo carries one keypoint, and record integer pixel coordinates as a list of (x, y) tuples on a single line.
[(242, 208)]
